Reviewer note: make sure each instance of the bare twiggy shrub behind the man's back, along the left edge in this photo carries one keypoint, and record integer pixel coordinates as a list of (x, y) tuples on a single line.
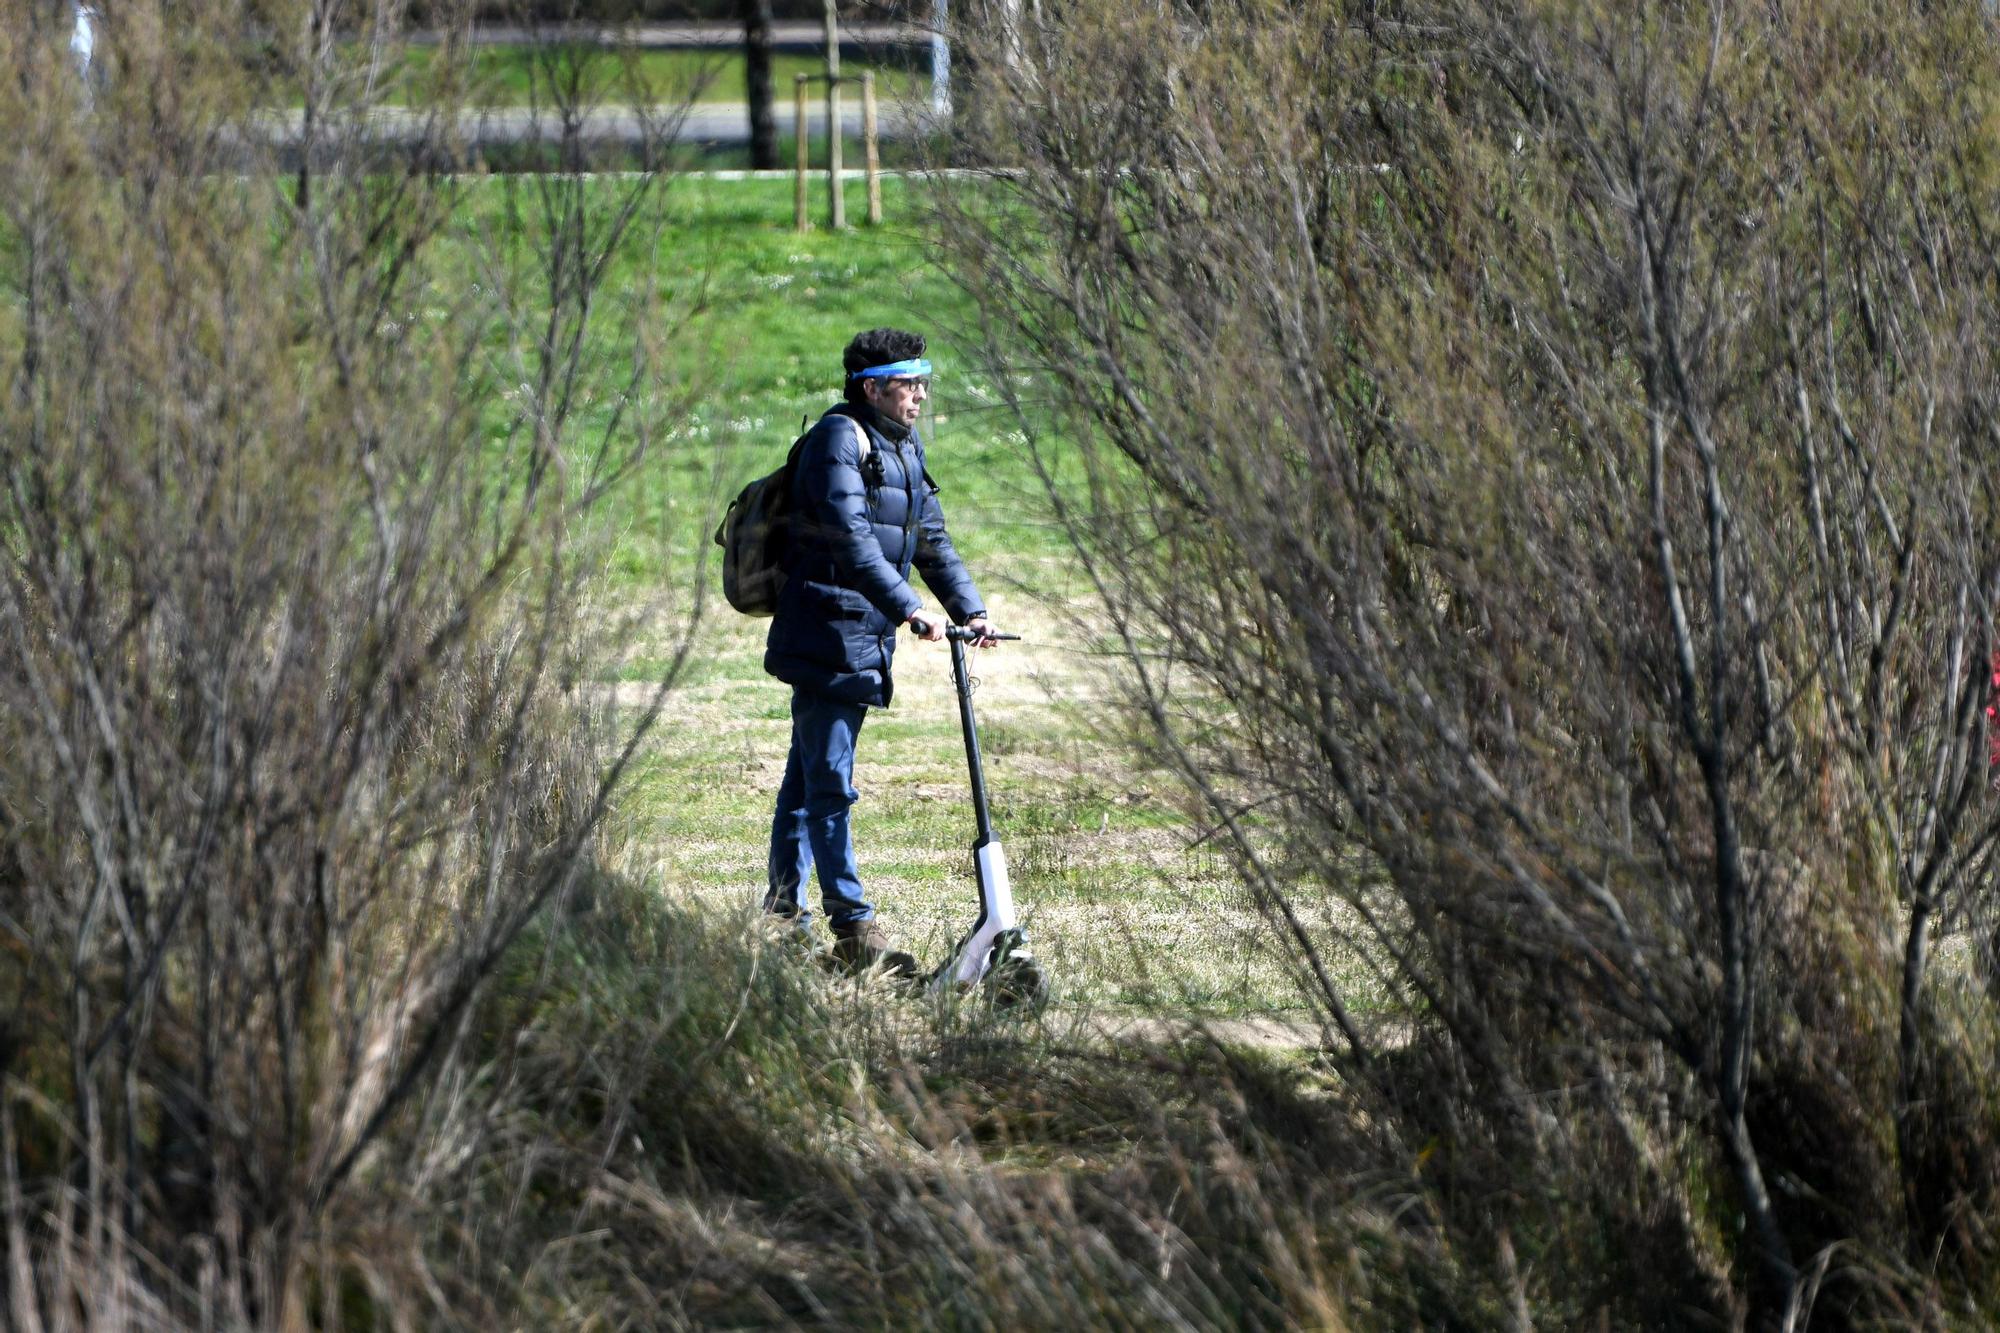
[(293, 615)]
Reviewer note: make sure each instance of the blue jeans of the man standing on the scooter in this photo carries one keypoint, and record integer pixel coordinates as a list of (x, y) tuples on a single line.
[(811, 826)]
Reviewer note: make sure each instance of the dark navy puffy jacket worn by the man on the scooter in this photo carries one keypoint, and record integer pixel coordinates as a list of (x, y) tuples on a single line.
[(857, 531)]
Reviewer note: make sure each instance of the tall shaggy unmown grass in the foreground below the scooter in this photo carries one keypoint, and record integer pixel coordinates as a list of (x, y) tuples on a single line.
[(689, 1122)]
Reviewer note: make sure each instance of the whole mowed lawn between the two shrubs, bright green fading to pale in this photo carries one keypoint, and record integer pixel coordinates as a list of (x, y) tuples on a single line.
[(1117, 904)]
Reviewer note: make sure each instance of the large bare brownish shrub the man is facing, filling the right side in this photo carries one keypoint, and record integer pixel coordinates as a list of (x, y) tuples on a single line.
[(1539, 465)]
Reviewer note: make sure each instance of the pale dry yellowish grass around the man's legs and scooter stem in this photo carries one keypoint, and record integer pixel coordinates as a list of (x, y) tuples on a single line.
[(1119, 900)]
